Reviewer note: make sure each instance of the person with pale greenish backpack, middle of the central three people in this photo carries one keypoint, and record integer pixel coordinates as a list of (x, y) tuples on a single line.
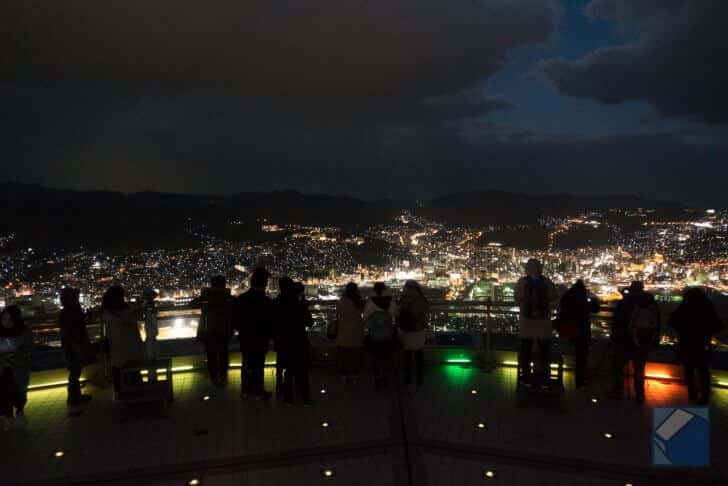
[(379, 313)]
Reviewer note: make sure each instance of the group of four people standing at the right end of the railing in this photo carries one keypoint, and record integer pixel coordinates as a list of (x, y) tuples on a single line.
[(634, 332)]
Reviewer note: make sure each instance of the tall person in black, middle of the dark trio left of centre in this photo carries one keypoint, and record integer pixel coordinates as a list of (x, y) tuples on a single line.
[(254, 316)]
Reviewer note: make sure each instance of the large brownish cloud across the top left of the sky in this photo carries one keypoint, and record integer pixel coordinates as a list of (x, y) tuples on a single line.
[(320, 48)]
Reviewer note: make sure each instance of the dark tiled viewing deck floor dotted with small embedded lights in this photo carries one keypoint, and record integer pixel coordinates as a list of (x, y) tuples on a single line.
[(430, 434)]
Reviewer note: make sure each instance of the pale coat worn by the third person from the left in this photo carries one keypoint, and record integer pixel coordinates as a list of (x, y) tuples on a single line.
[(125, 340)]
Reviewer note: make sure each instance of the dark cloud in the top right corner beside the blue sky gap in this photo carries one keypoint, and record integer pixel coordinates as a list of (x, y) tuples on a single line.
[(678, 62)]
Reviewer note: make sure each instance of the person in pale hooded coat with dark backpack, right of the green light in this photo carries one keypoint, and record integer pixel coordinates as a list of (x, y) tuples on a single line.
[(536, 297)]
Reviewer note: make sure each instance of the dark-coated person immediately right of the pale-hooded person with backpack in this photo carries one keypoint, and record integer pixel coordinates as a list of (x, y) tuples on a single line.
[(575, 310)]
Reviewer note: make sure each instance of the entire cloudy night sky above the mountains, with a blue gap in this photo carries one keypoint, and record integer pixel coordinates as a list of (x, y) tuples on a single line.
[(396, 98)]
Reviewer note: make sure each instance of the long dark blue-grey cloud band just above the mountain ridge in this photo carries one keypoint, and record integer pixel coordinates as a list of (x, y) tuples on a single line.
[(223, 145)]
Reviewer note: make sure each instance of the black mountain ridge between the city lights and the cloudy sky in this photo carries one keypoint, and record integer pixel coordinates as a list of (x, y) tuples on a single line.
[(43, 216)]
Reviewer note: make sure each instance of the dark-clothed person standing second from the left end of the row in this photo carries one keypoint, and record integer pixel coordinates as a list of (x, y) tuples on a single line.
[(74, 342)]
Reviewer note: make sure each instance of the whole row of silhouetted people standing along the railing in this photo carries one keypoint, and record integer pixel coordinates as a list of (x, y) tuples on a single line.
[(380, 330)]
